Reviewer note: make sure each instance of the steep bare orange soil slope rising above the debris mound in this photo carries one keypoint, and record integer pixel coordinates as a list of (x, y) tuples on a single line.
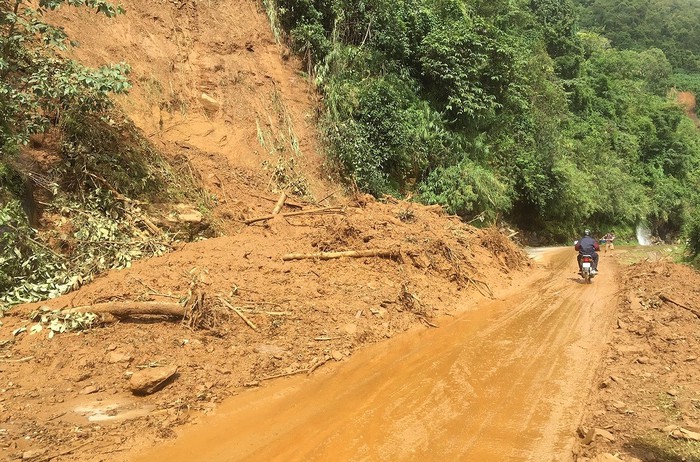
[(214, 89)]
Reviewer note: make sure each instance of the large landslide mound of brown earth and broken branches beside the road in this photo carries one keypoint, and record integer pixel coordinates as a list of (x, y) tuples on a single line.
[(258, 317)]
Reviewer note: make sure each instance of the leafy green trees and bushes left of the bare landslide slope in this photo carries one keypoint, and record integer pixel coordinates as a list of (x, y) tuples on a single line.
[(104, 175)]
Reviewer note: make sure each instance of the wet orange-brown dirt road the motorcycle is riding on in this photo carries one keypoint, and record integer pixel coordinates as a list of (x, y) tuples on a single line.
[(503, 381)]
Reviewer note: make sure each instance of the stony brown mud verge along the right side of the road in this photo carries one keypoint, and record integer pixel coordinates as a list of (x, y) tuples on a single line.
[(647, 402)]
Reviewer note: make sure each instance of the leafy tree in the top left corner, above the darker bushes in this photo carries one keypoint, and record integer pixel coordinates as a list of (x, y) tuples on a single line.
[(37, 85)]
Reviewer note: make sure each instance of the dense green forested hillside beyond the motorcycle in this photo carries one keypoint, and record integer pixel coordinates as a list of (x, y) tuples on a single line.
[(541, 112)]
